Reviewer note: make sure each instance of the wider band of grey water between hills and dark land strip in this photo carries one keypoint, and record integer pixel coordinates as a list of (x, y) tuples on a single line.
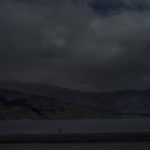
[(75, 126)]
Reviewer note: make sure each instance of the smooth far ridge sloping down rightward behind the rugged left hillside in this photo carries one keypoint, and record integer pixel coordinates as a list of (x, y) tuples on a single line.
[(61, 93)]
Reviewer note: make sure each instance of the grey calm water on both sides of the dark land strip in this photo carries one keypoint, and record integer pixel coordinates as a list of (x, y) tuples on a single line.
[(81, 126)]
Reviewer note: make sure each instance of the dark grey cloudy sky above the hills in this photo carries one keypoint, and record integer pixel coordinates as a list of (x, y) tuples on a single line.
[(67, 43)]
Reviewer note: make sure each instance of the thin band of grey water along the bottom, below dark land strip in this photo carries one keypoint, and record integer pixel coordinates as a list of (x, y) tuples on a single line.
[(79, 146)]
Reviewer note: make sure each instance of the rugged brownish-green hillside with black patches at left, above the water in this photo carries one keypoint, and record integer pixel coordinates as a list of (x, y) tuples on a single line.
[(16, 105)]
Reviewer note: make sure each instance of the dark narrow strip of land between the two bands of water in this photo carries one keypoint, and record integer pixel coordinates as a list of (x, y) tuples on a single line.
[(96, 137)]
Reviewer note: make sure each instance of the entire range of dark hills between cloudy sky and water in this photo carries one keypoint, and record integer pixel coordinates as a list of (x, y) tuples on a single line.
[(48, 101)]
